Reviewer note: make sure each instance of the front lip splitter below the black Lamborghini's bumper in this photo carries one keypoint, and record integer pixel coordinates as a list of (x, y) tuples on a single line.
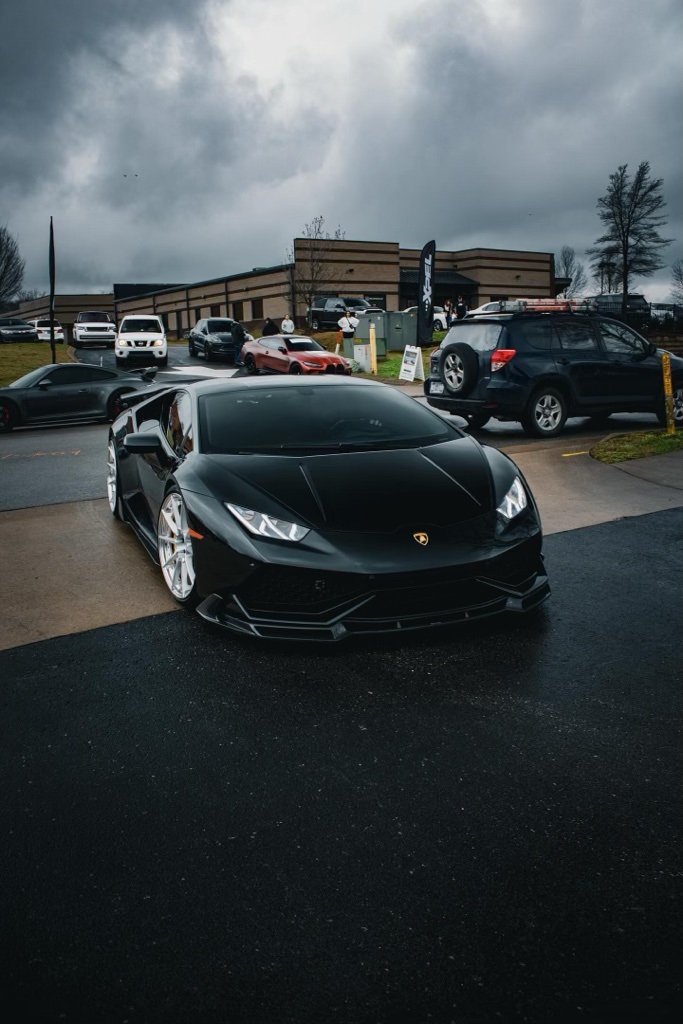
[(349, 620)]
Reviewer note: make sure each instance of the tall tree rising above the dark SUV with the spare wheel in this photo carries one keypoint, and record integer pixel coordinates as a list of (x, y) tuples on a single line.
[(631, 214)]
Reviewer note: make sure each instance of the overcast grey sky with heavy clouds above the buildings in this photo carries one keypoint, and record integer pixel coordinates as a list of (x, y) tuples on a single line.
[(176, 141)]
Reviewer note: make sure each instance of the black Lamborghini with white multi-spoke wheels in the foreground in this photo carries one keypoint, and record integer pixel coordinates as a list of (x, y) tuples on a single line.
[(322, 509)]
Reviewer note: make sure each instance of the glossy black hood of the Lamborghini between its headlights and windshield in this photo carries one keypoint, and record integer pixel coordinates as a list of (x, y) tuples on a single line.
[(369, 492)]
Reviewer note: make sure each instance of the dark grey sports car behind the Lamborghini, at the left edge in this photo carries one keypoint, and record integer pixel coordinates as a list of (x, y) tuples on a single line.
[(67, 392)]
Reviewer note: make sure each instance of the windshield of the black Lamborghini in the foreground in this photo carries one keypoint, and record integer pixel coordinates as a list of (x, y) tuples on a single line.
[(314, 419)]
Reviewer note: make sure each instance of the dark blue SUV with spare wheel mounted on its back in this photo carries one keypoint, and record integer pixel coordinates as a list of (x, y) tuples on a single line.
[(539, 369)]
